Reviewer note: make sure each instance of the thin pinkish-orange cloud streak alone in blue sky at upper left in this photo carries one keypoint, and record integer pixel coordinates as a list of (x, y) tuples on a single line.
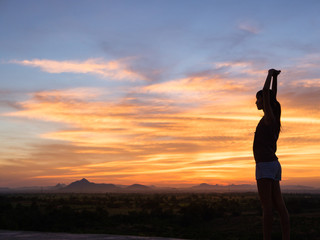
[(116, 69)]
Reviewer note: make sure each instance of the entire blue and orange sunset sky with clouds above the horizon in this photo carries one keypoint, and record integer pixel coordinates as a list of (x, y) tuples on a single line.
[(154, 92)]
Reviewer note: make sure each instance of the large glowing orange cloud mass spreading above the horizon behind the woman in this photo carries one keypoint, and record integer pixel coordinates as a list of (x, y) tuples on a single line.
[(190, 130)]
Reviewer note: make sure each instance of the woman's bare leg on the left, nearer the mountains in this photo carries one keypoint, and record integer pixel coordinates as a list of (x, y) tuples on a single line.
[(265, 193)]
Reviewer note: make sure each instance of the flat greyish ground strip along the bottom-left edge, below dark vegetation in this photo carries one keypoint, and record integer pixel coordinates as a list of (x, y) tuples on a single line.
[(24, 235)]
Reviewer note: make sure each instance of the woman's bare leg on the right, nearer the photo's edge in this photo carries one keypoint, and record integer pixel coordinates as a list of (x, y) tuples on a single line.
[(280, 206)]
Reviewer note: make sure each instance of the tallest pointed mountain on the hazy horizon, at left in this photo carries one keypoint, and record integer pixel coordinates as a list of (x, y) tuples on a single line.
[(84, 186)]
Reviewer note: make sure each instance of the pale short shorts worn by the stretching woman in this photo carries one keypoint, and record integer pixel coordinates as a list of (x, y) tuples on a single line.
[(270, 170)]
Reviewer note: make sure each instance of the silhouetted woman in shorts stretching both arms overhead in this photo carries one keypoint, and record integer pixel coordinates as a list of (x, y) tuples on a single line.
[(268, 168)]
